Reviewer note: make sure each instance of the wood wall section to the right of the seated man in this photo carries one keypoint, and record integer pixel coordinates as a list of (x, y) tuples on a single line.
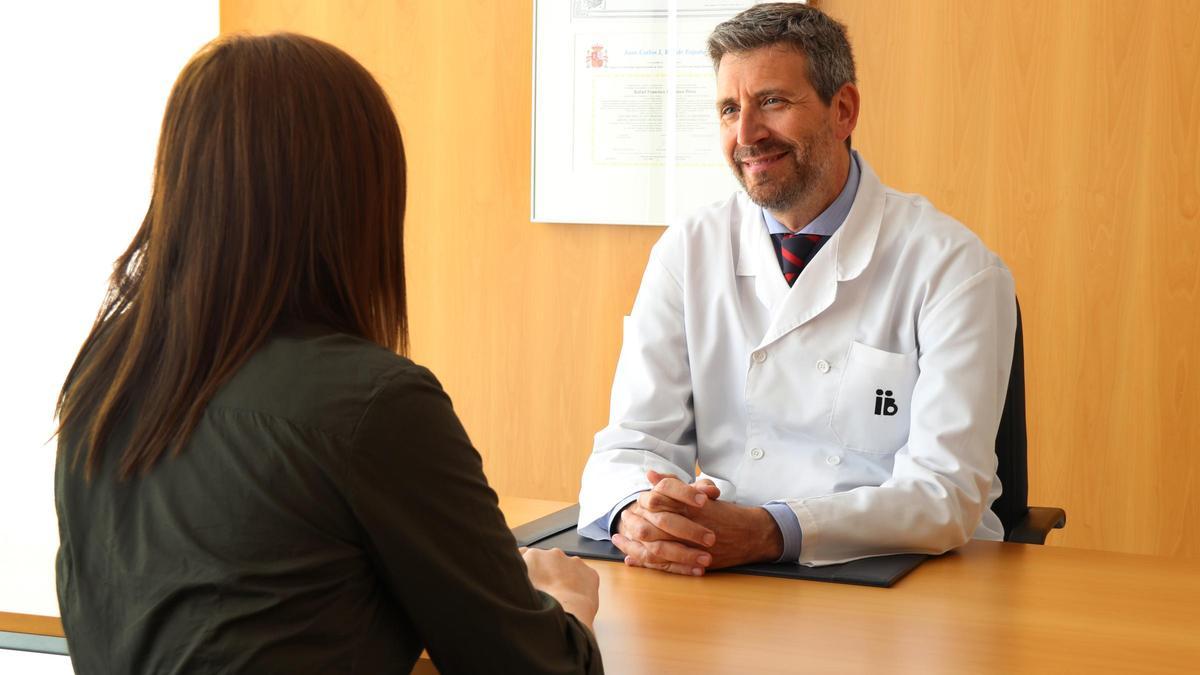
[(1067, 135)]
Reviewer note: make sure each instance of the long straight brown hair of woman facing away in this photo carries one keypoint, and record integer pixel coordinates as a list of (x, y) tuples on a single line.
[(279, 196)]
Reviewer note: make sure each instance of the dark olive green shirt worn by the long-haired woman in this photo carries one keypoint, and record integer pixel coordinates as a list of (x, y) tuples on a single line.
[(329, 515)]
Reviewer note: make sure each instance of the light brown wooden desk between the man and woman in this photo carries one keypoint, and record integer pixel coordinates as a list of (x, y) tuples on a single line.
[(988, 608)]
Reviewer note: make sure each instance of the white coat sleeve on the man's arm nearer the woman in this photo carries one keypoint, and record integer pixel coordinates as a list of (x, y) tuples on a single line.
[(651, 423)]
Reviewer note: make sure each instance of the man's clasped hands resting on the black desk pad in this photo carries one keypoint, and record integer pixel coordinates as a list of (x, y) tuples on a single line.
[(685, 529)]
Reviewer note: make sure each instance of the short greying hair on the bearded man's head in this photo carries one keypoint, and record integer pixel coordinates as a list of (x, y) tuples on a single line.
[(803, 28)]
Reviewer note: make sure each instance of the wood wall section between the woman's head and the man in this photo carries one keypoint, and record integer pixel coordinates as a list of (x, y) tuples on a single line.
[(520, 321)]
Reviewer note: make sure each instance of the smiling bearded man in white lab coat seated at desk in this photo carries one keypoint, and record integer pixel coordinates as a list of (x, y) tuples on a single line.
[(830, 354)]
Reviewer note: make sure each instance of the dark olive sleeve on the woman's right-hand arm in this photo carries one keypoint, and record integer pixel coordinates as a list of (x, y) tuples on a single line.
[(441, 546)]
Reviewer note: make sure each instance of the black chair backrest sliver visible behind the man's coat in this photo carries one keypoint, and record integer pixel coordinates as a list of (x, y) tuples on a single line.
[(1012, 444)]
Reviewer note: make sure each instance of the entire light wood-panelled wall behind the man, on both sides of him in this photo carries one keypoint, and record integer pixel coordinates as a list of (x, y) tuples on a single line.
[(1065, 134)]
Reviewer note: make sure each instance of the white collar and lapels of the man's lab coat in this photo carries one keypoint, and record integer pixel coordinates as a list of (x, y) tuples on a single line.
[(844, 258)]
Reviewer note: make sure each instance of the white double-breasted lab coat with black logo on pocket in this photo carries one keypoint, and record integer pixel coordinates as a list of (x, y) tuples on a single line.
[(772, 392)]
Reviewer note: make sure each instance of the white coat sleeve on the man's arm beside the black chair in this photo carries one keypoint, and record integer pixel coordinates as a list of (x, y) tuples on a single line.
[(941, 479)]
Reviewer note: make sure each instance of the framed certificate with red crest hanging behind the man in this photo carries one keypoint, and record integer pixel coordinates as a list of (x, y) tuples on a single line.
[(625, 120)]
